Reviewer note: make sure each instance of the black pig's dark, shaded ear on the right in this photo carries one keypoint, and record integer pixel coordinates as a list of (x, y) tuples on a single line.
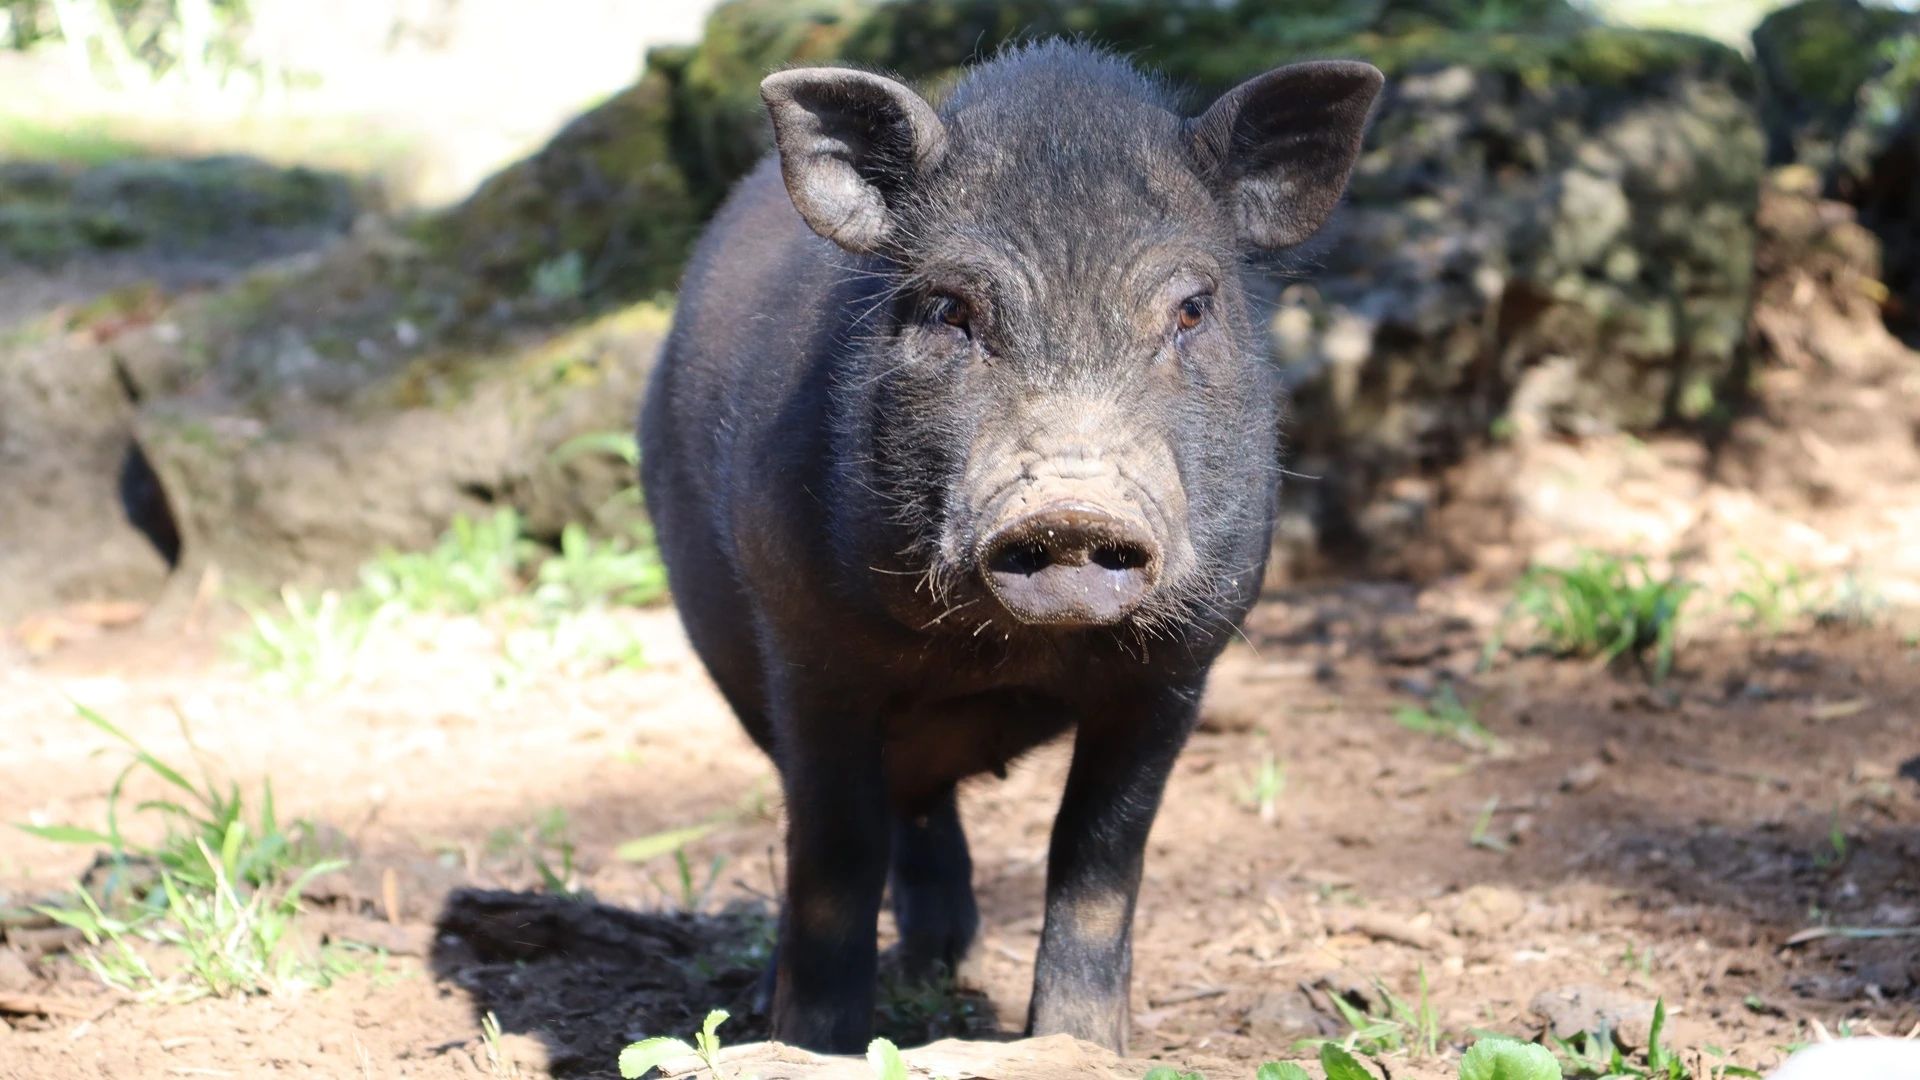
[(1280, 147)]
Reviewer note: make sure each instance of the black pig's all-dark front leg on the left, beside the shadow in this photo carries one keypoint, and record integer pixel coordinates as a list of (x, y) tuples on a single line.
[(838, 833)]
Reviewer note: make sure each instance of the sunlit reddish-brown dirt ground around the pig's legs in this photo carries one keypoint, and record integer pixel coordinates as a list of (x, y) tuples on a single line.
[(1650, 845)]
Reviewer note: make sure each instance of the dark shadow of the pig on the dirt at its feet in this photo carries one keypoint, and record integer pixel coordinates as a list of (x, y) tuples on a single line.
[(588, 979)]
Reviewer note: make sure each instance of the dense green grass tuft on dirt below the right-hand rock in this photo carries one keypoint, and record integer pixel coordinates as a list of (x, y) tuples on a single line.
[(1606, 608)]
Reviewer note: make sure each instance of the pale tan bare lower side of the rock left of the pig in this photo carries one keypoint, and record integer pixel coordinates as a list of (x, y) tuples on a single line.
[(293, 489)]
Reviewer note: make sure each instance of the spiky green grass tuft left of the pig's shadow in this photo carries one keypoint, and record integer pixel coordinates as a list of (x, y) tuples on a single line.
[(222, 891)]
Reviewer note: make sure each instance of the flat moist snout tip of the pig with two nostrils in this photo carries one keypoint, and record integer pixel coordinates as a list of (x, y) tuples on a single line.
[(1070, 566)]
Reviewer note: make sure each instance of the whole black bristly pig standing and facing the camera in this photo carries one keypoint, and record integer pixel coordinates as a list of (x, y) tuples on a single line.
[(963, 439)]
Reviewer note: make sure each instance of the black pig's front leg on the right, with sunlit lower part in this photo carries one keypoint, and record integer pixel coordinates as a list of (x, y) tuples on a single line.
[(1122, 758)]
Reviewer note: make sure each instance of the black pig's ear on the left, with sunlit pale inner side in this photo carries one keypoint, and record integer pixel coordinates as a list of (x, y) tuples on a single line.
[(850, 147)]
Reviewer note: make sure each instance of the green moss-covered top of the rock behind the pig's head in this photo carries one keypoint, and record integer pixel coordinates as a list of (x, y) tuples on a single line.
[(625, 189)]
